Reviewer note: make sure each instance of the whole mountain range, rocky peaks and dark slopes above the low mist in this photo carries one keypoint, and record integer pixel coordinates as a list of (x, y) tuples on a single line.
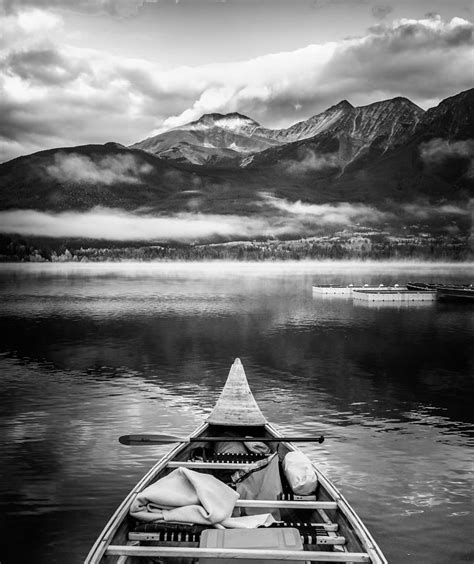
[(383, 154)]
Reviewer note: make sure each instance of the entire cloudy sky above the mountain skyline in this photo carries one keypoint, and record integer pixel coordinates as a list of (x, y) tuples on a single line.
[(92, 71)]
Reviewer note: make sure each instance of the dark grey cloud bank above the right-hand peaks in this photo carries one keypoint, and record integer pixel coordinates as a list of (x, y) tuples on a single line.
[(413, 58)]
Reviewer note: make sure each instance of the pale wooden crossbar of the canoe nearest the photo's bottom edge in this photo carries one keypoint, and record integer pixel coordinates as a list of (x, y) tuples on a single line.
[(239, 554)]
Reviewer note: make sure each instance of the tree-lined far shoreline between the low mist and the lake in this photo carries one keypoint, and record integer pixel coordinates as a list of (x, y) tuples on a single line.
[(345, 245)]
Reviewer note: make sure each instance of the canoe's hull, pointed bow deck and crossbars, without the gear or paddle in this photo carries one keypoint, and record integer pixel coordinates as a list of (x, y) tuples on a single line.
[(328, 527)]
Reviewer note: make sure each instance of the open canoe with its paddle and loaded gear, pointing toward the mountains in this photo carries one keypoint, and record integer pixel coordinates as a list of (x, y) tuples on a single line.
[(312, 525)]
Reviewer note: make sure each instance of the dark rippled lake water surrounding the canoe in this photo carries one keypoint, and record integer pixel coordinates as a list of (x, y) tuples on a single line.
[(91, 352)]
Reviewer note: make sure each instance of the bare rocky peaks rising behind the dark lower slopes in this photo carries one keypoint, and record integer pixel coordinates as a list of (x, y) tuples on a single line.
[(215, 138)]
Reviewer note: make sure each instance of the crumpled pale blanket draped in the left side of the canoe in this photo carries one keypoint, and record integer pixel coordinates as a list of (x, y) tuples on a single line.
[(185, 496)]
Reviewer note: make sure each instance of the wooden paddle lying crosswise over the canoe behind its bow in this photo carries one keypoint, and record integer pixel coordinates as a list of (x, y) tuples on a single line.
[(166, 439)]
